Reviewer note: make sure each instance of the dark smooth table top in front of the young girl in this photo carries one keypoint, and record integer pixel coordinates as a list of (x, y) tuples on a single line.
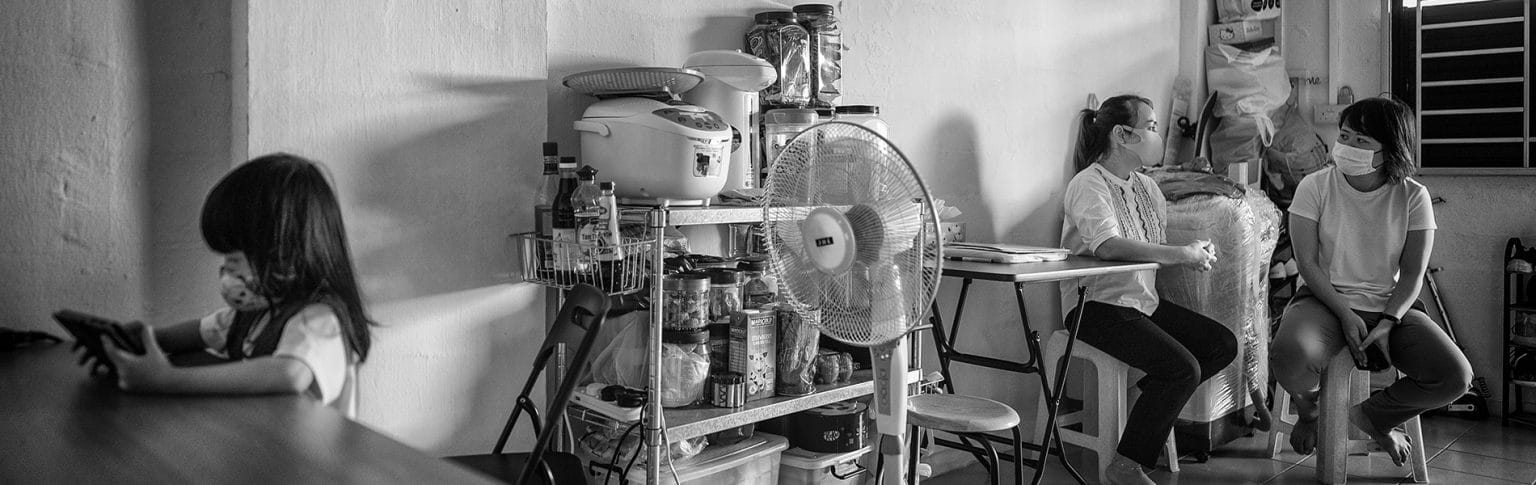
[(62, 426)]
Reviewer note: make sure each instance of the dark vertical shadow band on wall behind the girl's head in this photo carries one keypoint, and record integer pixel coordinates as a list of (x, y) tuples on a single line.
[(188, 119)]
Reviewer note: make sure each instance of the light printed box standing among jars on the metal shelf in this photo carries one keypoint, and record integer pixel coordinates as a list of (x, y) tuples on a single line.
[(755, 341)]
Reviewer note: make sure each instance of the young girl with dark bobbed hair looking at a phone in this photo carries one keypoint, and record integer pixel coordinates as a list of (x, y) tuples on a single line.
[(296, 322)]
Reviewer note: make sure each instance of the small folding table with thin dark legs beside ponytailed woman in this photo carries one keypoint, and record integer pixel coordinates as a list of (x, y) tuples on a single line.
[(1019, 275)]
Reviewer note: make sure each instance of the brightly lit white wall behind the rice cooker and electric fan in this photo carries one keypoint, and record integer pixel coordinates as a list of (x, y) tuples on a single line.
[(979, 94)]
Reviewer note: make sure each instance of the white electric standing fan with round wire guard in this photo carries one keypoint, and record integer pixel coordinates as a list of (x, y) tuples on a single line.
[(852, 231)]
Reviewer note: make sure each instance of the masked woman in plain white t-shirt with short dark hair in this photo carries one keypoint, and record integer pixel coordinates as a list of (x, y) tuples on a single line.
[(1363, 233)]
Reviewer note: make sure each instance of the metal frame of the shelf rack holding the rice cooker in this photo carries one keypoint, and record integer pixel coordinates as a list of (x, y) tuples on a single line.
[(689, 421)]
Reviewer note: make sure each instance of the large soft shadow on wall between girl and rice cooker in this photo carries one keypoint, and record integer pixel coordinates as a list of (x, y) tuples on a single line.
[(429, 220)]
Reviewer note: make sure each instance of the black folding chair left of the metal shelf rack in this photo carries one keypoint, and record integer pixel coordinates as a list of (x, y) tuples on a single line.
[(581, 317)]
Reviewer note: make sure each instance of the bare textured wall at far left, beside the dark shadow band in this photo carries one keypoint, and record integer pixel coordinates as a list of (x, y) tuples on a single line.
[(74, 142)]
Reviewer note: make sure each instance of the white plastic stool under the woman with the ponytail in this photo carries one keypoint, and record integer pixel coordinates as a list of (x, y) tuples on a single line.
[(1114, 380)]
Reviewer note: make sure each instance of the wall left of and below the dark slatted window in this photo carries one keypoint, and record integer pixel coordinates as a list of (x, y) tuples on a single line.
[(1480, 213)]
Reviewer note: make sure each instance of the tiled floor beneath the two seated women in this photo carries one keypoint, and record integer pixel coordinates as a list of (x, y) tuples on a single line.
[(1462, 454)]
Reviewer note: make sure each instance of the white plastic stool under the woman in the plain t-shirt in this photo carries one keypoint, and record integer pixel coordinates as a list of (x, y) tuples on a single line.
[(1337, 438)]
